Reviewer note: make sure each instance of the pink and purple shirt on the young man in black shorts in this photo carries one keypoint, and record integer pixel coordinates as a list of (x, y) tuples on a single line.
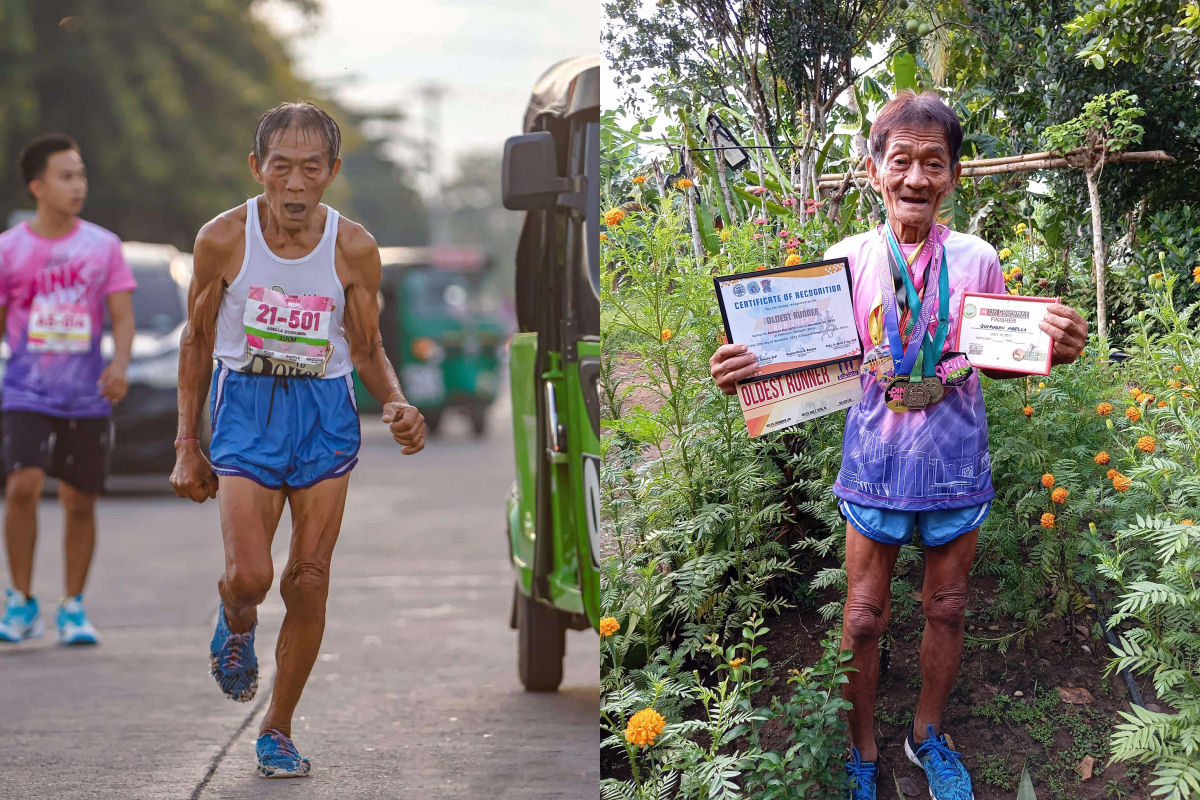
[(55, 291)]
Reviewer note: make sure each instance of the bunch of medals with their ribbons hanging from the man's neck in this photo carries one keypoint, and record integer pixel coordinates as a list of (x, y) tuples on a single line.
[(917, 384)]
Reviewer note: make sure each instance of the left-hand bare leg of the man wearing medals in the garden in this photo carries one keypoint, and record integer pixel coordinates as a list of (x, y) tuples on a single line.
[(869, 567)]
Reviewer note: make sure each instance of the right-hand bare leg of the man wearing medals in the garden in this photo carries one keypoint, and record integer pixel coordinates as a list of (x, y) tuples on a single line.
[(945, 601)]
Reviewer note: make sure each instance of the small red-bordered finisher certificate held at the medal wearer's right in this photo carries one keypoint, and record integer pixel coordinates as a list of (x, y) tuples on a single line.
[(1000, 332)]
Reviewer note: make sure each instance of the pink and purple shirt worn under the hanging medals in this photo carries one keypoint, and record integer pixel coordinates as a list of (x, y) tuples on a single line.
[(916, 461)]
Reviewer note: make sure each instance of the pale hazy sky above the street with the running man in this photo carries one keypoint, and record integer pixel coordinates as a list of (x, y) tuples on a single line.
[(485, 53)]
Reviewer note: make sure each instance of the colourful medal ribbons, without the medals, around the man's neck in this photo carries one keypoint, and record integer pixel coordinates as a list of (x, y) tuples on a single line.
[(928, 347)]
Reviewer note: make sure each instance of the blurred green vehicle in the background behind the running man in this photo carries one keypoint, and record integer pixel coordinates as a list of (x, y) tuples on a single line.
[(442, 330)]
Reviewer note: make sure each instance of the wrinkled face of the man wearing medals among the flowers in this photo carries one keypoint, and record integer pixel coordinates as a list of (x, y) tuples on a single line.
[(914, 177)]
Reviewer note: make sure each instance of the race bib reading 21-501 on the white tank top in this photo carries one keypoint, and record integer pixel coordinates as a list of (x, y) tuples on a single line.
[(287, 335)]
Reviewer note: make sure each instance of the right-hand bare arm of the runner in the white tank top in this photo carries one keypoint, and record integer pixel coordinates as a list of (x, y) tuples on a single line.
[(358, 258)]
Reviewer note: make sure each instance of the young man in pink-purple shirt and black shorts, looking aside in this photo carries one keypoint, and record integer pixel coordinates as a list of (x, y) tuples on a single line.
[(57, 275)]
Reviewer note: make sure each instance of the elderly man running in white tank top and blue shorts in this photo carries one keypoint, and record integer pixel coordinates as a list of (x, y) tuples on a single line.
[(285, 297)]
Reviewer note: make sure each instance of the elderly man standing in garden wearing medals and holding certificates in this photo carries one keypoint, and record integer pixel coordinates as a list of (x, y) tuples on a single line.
[(899, 270)]
